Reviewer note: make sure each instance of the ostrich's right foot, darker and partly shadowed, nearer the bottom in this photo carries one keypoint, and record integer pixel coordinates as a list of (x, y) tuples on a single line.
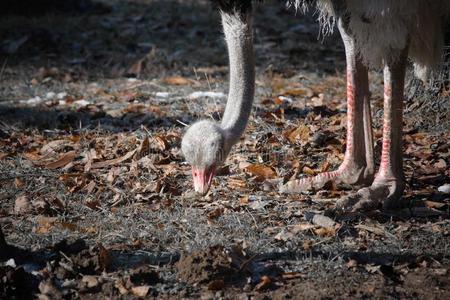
[(383, 192)]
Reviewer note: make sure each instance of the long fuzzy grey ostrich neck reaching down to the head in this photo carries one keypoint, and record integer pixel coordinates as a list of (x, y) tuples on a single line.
[(239, 39)]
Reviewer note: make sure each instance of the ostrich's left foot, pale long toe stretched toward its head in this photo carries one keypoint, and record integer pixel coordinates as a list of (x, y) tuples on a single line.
[(357, 176)]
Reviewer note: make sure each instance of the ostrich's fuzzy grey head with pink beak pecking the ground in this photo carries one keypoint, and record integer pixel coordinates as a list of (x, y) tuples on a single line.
[(204, 147)]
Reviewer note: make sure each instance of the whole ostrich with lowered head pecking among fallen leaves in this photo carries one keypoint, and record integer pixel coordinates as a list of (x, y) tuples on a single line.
[(380, 33)]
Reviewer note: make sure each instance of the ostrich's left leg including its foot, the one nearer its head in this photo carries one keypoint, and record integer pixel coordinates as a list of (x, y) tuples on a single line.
[(358, 165)]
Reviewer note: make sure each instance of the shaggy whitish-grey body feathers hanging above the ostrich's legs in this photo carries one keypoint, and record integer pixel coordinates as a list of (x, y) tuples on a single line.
[(382, 27)]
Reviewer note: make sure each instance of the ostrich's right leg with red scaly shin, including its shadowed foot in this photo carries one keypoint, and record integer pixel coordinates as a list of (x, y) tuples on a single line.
[(389, 183)]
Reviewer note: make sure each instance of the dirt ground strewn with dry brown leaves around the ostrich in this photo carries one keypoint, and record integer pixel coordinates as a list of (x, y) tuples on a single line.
[(97, 202)]
